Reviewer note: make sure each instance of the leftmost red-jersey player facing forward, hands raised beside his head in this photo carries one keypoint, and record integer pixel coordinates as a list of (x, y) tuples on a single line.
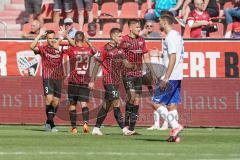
[(52, 73)]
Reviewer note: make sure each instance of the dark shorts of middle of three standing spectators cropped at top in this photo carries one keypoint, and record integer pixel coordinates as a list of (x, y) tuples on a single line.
[(60, 4)]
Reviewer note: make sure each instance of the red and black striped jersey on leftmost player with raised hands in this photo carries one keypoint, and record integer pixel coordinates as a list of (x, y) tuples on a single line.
[(52, 62)]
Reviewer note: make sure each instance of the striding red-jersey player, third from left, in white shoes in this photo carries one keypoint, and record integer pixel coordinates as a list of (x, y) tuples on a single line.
[(113, 61)]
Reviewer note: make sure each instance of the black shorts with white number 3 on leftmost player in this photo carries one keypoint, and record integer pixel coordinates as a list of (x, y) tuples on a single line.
[(52, 87)]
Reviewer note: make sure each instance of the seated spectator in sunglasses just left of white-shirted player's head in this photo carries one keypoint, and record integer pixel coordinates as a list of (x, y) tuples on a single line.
[(148, 32)]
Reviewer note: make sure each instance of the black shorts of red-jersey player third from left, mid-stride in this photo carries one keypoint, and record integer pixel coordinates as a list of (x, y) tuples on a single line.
[(111, 92)]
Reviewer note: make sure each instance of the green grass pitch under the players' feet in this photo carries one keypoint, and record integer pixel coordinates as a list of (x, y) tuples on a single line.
[(32, 143)]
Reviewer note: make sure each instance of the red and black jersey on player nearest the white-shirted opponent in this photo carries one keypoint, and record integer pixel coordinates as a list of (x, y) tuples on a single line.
[(134, 49)]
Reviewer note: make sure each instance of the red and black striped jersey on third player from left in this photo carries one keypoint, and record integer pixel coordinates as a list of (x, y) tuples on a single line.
[(112, 59)]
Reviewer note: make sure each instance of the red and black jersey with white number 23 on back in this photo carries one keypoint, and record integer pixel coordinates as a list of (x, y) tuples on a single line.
[(79, 58)]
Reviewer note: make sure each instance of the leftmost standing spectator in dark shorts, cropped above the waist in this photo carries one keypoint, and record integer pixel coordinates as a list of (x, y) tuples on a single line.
[(33, 8)]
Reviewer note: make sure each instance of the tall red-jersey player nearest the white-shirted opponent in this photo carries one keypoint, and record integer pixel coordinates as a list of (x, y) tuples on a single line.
[(135, 50)]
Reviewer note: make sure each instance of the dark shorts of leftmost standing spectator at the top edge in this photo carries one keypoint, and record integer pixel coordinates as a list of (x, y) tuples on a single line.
[(33, 6)]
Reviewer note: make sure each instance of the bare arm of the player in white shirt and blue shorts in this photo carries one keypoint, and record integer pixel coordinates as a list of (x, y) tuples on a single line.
[(171, 64)]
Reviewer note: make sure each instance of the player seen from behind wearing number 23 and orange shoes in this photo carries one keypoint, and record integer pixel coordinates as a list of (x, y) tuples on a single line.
[(79, 78)]
